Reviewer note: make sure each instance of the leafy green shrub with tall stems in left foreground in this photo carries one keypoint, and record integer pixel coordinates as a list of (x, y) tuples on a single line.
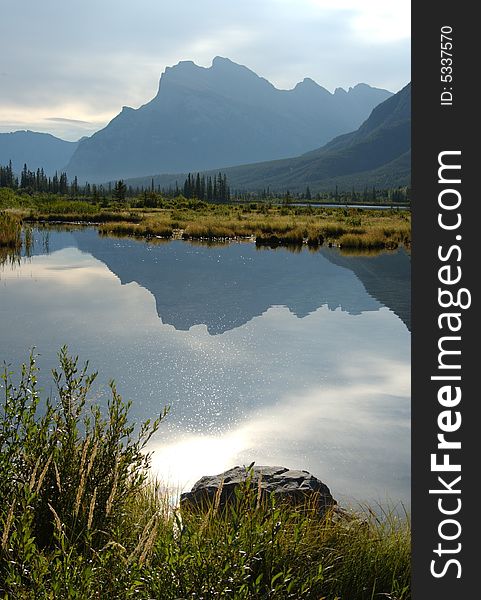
[(67, 472)]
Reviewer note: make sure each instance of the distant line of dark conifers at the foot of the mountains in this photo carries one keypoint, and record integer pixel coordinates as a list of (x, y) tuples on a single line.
[(196, 186)]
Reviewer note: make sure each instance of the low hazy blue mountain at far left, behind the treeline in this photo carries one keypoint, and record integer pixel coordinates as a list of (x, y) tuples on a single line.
[(38, 150)]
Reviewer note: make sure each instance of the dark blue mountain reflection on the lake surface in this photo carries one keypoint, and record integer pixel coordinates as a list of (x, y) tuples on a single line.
[(225, 287)]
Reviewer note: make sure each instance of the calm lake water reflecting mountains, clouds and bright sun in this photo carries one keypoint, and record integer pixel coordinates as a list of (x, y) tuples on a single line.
[(294, 359)]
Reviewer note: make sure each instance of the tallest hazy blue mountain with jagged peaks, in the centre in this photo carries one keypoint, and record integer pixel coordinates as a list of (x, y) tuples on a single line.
[(224, 115)]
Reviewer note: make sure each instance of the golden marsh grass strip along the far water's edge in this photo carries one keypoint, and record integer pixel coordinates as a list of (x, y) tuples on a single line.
[(381, 229)]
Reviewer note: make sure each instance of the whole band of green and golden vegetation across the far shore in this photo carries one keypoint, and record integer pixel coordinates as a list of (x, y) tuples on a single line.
[(267, 222)]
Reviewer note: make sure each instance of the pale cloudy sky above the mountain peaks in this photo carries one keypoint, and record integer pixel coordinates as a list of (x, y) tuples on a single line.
[(69, 66)]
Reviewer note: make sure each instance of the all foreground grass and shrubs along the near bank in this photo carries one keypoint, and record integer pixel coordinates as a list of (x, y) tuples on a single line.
[(81, 518)]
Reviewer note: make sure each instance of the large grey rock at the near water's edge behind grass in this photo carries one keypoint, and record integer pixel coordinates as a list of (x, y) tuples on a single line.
[(294, 487)]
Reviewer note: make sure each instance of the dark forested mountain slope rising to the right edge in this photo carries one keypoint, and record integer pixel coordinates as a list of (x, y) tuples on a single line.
[(378, 153)]
